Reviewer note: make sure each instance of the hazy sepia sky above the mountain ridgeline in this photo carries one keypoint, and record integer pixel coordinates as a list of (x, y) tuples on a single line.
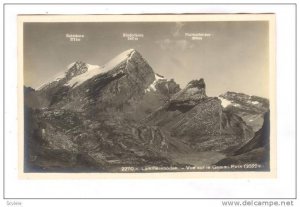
[(234, 58)]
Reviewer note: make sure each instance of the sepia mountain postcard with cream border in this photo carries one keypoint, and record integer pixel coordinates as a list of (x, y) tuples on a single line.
[(169, 95)]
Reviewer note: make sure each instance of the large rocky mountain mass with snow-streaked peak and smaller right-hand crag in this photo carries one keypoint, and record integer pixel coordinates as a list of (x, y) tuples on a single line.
[(124, 116)]
